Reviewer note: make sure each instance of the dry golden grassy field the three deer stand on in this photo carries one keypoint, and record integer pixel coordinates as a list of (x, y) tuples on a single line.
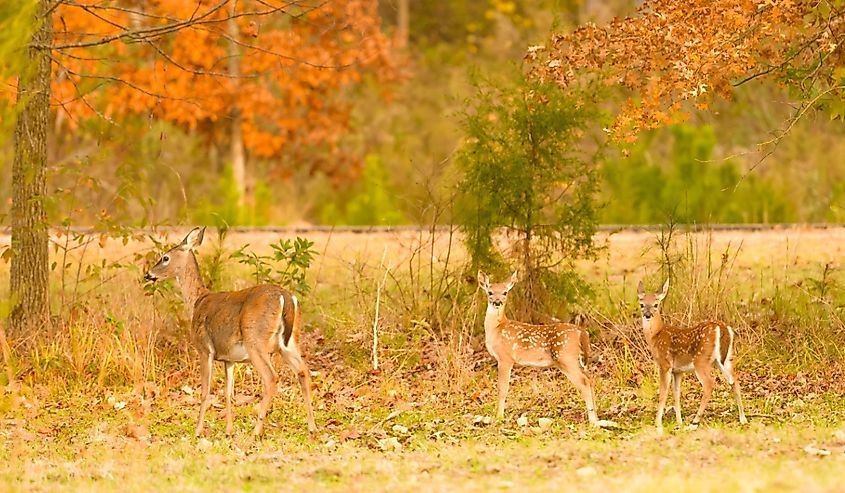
[(107, 400)]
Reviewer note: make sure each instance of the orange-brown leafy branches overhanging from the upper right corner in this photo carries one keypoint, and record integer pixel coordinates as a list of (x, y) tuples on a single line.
[(677, 54)]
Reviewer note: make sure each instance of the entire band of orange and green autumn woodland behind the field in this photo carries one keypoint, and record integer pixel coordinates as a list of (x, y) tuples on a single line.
[(350, 112)]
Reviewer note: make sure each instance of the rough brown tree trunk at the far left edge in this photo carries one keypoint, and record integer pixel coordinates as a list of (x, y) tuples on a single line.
[(29, 269)]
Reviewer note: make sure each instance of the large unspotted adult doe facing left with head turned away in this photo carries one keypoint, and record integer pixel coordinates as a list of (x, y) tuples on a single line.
[(235, 327)]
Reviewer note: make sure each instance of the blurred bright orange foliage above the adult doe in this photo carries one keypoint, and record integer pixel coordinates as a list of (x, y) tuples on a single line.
[(294, 68)]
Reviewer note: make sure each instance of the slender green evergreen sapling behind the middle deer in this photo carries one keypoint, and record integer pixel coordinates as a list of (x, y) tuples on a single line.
[(524, 175)]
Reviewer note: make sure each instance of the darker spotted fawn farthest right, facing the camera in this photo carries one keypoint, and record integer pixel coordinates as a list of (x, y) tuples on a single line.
[(678, 350)]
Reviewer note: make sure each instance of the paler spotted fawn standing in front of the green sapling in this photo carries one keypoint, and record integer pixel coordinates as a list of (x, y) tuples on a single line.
[(564, 346)]
